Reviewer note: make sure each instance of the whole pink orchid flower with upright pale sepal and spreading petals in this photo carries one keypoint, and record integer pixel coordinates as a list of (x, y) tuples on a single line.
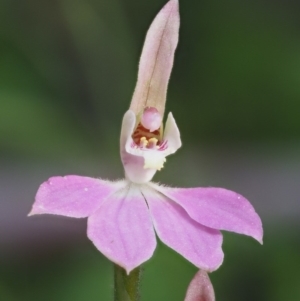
[(123, 216)]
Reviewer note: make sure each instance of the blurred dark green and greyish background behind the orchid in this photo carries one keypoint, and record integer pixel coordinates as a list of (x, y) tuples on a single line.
[(67, 73)]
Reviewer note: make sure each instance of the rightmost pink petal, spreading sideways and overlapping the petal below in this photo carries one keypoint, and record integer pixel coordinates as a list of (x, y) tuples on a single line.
[(217, 208)]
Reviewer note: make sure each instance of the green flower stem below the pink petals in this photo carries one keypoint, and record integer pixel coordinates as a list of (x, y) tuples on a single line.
[(126, 286)]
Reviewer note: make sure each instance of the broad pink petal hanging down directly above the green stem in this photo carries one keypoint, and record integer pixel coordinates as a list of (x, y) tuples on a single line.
[(122, 229)]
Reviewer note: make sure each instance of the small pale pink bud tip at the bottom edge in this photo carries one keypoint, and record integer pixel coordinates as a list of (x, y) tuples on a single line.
[(200, 288)]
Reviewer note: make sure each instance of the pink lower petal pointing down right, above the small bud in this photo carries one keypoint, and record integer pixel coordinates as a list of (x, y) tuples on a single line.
[(197, 243)]
